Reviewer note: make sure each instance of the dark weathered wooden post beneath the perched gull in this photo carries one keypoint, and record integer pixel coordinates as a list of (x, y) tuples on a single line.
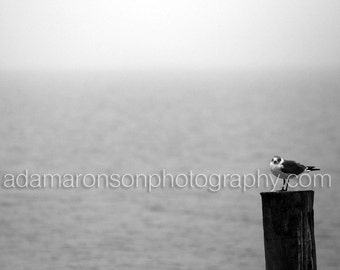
[(288, 225)]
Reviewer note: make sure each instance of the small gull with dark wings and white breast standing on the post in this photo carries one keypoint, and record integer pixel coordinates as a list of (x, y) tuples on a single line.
[(287, 169)]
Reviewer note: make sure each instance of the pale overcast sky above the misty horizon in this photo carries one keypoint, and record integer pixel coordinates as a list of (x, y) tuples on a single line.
[(105, 34)]
